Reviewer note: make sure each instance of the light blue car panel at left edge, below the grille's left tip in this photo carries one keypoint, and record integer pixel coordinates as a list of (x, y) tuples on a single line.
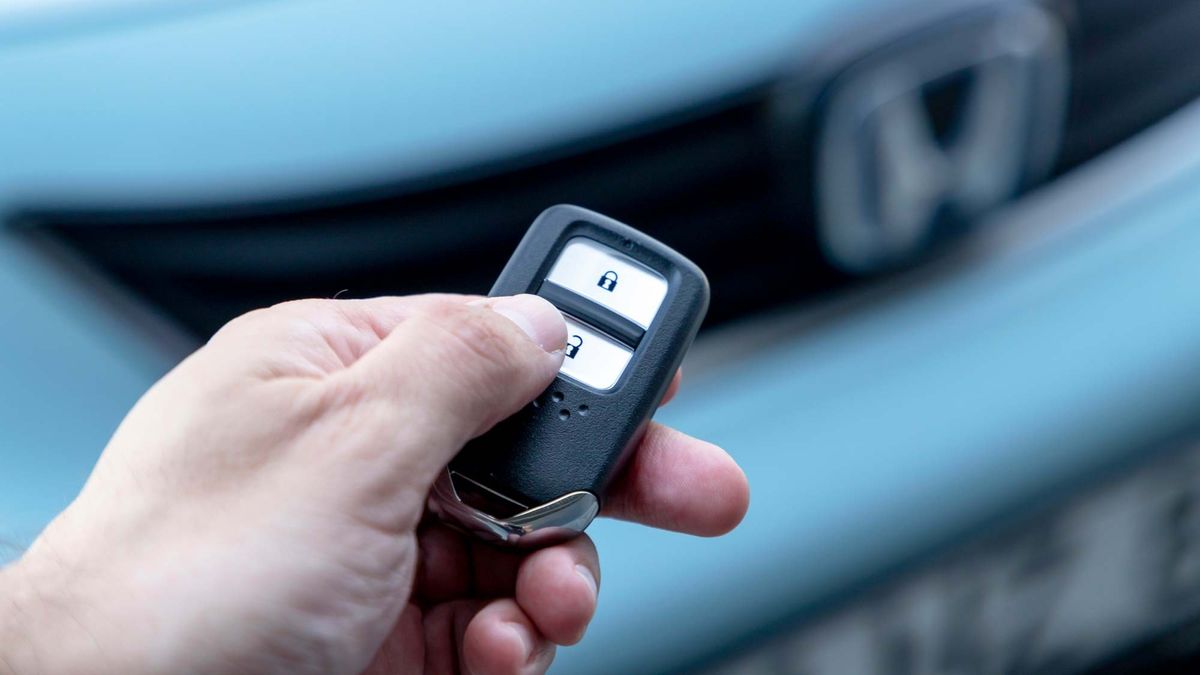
[(73, 363)]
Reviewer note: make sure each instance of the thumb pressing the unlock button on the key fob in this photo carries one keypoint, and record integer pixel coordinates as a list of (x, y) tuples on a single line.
[(453, 371)]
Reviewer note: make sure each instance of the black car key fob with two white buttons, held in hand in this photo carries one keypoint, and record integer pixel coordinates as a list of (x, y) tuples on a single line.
[(633, 307)]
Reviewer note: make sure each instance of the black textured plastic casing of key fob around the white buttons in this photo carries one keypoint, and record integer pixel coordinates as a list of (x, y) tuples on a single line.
[(541, 453)]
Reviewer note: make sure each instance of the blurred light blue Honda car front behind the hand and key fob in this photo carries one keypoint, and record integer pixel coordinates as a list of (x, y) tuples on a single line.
[(955, 250)]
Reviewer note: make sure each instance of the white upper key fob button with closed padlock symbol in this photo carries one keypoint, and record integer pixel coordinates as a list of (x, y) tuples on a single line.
[(611, 279)]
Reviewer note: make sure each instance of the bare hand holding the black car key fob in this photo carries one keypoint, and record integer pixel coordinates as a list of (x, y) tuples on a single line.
[(262, 509)]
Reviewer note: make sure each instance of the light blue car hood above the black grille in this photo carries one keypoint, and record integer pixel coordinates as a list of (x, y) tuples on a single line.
[(273, 100)]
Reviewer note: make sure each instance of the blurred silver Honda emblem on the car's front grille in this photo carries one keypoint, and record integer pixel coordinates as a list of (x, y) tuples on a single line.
[(927, 135)]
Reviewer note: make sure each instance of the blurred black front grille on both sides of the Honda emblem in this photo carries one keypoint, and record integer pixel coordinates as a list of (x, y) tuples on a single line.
[(705, 183)]
